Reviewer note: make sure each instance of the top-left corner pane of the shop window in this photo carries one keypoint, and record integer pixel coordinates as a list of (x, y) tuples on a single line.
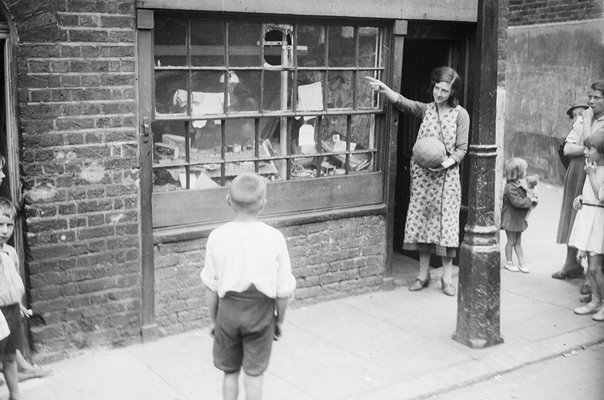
[(170, 42)]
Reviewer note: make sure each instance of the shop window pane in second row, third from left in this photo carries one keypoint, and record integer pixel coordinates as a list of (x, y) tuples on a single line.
[(244, 91)]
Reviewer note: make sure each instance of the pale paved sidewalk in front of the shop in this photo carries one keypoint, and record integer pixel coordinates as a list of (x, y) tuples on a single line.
[(384, 345)]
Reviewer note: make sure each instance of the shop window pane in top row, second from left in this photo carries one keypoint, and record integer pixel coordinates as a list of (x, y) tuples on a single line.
[(207, 43)]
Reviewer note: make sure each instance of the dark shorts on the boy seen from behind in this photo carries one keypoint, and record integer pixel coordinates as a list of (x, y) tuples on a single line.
[(243, 336)]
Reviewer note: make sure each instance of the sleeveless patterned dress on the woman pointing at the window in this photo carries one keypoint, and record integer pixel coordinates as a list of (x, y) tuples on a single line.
[(433, 216)]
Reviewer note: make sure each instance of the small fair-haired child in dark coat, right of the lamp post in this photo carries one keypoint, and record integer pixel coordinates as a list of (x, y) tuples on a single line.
[(515, 207)]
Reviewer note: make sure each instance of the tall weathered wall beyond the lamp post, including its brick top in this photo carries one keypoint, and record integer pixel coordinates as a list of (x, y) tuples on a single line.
[(548, 41)]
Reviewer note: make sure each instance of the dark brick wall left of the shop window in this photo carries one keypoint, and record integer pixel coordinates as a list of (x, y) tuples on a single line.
[(80, 171)]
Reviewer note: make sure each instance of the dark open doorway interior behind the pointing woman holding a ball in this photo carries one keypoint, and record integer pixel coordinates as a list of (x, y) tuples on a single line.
[(428, 45)]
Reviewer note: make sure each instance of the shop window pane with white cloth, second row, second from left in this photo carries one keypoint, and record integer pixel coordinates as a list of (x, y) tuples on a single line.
[(207, 95)]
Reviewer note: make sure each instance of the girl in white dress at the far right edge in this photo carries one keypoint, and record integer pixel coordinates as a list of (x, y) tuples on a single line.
[(587, 234)]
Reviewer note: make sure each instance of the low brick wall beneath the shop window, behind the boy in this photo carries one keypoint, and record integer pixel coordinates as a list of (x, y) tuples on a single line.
[(329, 259)]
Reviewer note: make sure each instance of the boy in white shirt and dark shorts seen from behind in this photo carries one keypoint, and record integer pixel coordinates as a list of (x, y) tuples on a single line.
[(248, 275)]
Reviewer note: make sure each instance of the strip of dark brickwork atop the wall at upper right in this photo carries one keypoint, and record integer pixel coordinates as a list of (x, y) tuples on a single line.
[(529, 12)]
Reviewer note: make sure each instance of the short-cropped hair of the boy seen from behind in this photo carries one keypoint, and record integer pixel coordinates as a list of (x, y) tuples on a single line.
[(248, 193)]
